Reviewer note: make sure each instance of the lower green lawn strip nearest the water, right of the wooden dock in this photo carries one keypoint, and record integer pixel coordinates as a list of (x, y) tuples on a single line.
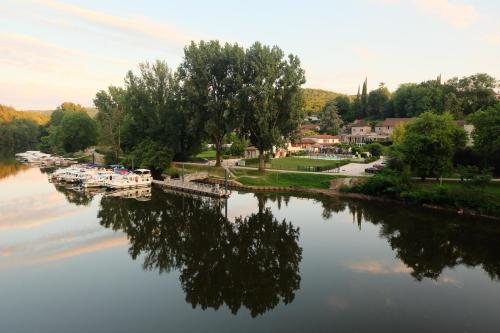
[(254, 178)]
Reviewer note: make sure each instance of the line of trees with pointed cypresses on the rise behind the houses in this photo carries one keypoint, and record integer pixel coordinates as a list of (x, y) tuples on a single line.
[(459, 97)]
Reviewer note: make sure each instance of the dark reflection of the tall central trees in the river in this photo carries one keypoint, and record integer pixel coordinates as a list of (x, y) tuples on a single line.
[(252, 262)]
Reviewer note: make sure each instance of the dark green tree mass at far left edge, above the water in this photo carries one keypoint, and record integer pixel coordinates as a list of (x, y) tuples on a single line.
[(17, 136)]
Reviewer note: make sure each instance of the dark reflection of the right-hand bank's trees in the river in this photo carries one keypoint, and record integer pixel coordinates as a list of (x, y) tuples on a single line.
[(430, 241)]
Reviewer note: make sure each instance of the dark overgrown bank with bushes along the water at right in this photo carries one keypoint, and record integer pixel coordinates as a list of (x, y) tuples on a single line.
[(482, 199)]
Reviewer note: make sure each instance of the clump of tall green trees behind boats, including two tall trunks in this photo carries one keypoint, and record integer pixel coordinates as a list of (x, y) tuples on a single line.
[(217, 90)]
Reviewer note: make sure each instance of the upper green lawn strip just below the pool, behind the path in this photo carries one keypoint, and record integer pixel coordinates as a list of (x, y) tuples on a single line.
[(296, 163)]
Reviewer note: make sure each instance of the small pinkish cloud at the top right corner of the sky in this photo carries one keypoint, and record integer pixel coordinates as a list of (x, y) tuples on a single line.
[(458, 15)]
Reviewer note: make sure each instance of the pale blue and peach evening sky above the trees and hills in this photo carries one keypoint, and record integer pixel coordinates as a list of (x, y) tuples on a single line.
[(53, 51)]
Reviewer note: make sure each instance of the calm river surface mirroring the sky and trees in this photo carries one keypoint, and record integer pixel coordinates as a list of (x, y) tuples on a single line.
[(71, 262)]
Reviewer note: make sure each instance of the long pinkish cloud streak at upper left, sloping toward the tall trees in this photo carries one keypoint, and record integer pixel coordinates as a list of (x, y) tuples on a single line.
[(137, 25)]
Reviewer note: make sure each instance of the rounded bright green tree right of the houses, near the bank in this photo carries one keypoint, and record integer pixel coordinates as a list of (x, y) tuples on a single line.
[(429, 143)]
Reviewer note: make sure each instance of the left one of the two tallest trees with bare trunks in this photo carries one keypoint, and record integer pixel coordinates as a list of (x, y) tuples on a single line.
[(212, 79)]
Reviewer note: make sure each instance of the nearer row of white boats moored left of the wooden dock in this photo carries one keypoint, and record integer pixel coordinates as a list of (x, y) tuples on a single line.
[(114, 177)]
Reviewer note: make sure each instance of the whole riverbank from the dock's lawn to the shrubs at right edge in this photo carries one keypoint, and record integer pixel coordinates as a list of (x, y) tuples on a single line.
[(450, 196)]
